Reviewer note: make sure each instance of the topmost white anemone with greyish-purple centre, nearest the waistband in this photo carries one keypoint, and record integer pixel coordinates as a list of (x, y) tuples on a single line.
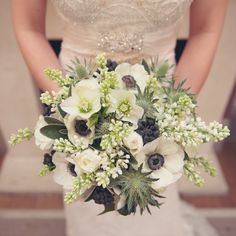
[(130, 75)]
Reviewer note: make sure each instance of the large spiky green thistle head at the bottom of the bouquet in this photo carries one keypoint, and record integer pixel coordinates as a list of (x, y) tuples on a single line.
[(136, 186)]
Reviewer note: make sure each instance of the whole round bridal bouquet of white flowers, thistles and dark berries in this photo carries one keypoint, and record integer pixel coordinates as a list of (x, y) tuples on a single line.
[(120, 134)]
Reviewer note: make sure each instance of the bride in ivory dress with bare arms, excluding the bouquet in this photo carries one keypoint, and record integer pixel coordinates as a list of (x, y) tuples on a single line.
[(126, 30)]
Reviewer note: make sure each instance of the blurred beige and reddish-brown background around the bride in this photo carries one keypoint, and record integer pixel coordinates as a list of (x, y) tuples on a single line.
[(25, 197)]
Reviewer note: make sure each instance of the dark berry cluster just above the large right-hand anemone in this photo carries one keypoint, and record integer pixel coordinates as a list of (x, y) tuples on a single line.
[(148, 129)]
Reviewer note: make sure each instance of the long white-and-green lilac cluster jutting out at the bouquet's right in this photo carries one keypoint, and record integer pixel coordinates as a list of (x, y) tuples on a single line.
[(178, 122)]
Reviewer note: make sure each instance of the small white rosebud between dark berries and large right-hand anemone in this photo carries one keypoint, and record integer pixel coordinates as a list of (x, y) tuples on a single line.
[(134, 142)]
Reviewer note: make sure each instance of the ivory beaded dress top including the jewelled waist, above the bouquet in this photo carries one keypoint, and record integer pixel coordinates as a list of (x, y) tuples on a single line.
[(122, 28)]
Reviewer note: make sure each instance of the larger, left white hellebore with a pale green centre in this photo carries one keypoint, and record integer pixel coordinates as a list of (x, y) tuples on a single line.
[(85, 99)]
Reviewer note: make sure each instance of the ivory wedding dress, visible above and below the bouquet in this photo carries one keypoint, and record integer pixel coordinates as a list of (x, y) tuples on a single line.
[(126, 30)]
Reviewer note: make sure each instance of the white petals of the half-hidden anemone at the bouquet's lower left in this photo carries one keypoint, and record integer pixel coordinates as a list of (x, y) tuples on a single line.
[(62, 175)]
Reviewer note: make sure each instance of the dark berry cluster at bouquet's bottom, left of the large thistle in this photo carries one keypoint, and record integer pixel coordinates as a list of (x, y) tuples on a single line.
[(102, 196)]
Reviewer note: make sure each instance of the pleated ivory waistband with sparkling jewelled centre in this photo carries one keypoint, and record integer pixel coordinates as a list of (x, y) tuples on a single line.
[(121, 46)]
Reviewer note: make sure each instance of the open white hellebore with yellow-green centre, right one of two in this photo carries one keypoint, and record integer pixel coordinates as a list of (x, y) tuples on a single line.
[(124, 104)]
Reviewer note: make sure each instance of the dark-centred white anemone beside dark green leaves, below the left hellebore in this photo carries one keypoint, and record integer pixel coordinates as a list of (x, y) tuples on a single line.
[(78, 131)]
